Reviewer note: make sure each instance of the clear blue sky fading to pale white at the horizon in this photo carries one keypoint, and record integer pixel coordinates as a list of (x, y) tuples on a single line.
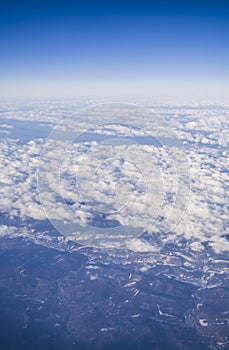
[(67, 48)]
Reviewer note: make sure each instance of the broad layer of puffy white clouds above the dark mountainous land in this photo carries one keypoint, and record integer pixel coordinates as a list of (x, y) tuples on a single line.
[(136, 184)]
